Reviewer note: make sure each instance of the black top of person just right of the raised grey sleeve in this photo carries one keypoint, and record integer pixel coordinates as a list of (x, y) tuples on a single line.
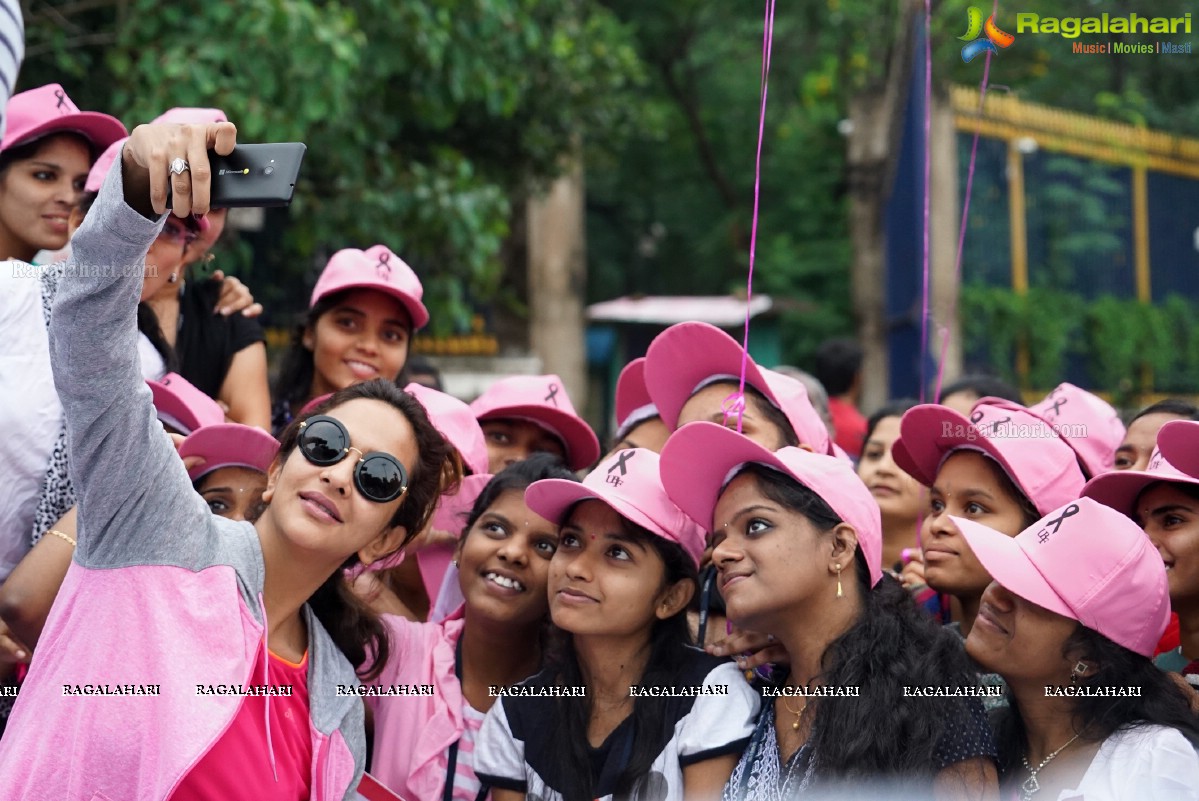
[(208, 342)]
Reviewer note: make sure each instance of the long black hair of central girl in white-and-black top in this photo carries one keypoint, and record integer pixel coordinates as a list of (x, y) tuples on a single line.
[(653, 728)]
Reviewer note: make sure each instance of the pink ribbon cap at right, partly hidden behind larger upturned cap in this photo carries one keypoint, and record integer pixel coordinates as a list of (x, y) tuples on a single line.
[(1087, 423)]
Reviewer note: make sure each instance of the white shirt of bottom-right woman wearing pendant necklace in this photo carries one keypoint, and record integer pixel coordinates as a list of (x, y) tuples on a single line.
[(1152, 763)]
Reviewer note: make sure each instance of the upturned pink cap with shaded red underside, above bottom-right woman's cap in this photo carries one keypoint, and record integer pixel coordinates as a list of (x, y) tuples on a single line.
[(1029, 451)]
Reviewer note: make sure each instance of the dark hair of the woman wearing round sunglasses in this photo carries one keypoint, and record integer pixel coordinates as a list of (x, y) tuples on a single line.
[(354, 628)]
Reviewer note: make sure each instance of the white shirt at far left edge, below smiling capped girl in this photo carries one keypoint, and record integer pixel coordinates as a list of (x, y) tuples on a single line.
[(31, 413)]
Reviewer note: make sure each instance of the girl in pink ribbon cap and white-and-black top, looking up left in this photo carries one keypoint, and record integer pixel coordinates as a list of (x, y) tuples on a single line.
[(619, 586)]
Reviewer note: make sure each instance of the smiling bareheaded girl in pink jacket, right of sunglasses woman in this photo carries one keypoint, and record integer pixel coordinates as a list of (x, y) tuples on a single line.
[(425, 749)]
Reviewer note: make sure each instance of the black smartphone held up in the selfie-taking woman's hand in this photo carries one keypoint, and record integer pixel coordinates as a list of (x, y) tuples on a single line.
[(256, 176)]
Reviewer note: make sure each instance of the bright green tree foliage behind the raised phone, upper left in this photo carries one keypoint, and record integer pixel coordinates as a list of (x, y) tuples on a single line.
[(423, 119)]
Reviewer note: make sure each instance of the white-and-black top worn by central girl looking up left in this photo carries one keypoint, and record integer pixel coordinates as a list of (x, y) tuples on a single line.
[(510, 751)]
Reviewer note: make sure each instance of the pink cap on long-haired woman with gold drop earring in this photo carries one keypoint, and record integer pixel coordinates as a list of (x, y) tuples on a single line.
[(702, 459)]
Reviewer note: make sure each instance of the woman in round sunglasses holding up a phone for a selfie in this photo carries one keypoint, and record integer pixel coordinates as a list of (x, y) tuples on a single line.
[(219, 605)]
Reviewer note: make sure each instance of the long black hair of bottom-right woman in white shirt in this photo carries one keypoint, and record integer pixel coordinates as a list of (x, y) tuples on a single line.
[(1095, 718)]
